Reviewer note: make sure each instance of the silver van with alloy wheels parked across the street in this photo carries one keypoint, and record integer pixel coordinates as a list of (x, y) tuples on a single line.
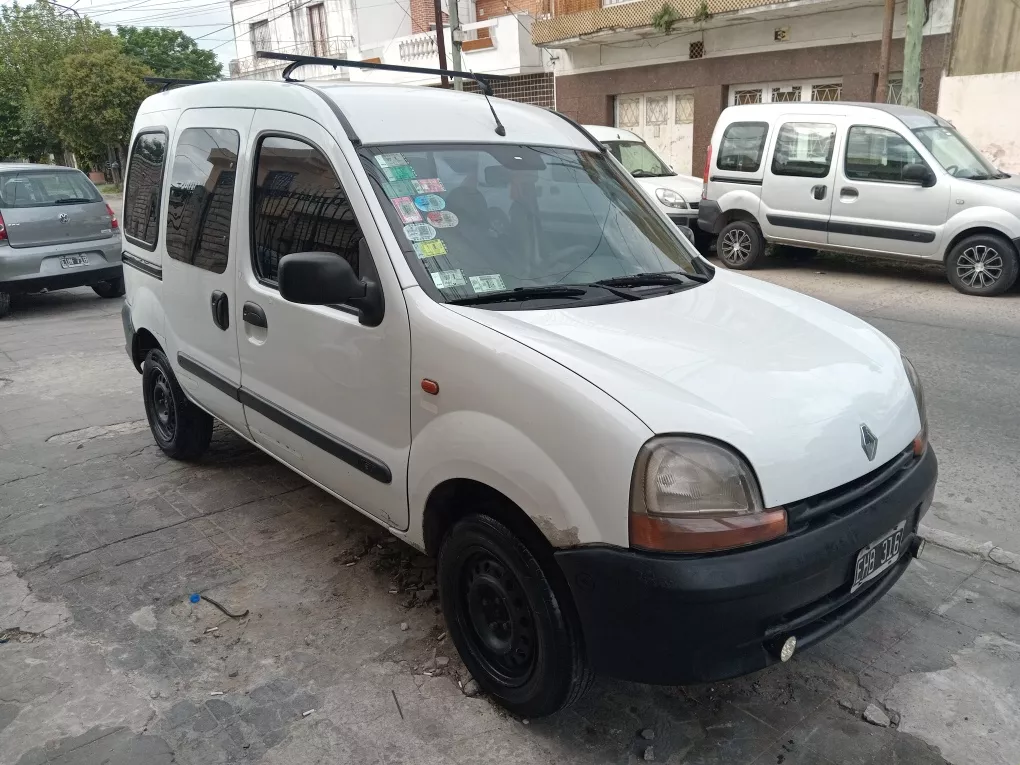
[(863, 179)]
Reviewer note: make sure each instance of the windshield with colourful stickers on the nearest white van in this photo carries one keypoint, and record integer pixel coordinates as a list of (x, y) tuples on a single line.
[(478, 220)]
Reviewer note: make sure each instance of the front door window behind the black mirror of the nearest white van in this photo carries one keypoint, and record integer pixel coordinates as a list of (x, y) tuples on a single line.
[(299, 206)]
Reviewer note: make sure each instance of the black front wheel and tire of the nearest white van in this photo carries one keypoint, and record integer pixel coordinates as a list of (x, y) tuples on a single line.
[(513, 623)]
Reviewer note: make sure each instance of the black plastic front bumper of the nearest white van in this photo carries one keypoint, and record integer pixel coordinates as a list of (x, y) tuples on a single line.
[(674, 620)]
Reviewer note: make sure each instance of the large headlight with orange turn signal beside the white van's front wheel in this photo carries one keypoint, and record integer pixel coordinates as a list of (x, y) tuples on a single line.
[(691, 495)]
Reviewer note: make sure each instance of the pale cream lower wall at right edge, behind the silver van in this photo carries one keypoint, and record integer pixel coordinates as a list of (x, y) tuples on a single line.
[(976, 107)]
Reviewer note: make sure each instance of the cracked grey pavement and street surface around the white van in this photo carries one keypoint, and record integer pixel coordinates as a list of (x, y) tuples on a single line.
[(103, 539)]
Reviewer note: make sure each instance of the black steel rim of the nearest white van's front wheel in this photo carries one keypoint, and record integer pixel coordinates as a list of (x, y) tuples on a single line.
[(498, 620)]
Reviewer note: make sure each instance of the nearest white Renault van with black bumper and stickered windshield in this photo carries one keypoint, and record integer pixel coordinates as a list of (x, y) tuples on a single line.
[(625, 461)]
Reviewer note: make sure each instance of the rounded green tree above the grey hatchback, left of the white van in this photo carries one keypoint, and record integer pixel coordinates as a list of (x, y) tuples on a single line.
[(90, 100)]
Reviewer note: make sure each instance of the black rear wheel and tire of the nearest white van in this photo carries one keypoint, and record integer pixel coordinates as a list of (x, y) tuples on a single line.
[(181, 429)]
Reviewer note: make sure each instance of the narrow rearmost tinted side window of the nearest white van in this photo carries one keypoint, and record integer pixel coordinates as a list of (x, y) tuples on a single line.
[(144, 188)]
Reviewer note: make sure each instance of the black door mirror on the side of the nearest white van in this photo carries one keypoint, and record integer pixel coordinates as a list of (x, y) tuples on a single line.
[(327, 279)]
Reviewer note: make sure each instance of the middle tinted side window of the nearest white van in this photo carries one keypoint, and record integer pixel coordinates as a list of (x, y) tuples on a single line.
[(201, 197)]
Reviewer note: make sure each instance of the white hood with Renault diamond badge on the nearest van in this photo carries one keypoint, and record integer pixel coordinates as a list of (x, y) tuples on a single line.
[(786, 380)]
